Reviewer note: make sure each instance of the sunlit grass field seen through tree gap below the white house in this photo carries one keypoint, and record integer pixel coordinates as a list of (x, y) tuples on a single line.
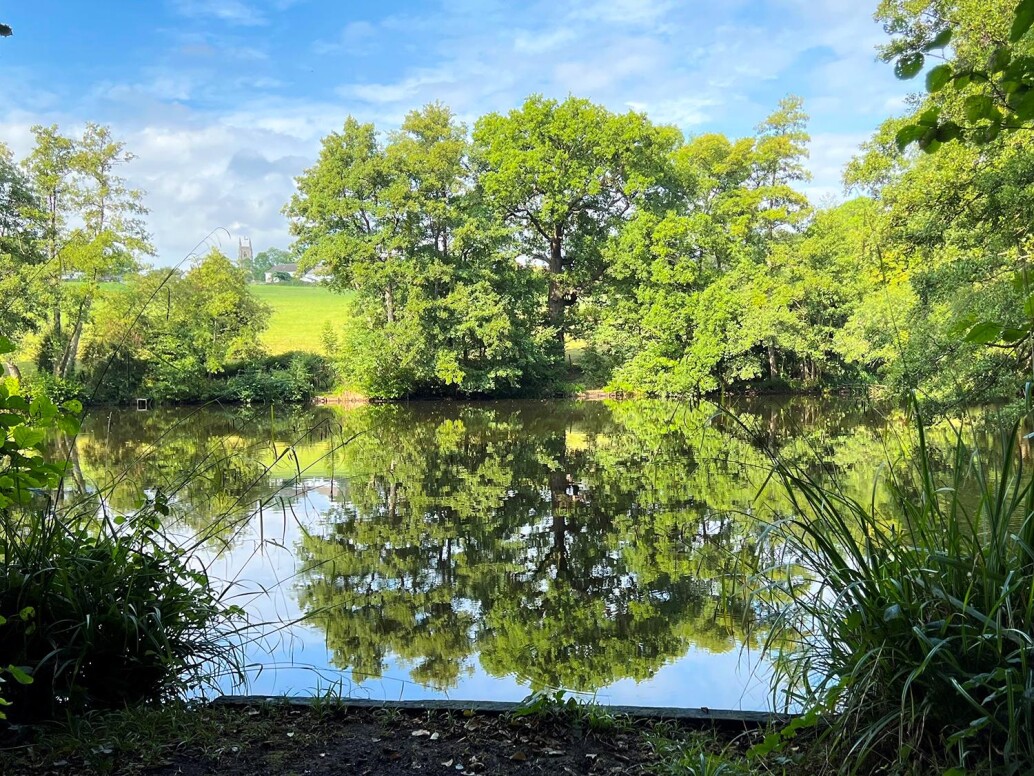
[(299, 316)]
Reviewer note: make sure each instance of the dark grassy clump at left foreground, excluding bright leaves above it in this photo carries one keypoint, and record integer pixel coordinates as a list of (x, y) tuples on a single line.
[(114, 616)]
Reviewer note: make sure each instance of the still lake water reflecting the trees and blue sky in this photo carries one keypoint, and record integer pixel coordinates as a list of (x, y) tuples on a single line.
[(488, 551)]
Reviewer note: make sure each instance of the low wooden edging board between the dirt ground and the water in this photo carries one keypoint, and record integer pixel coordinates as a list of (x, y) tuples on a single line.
[(702, 715)]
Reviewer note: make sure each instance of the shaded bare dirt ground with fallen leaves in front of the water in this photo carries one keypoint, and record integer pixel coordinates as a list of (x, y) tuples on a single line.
[(283, 740)]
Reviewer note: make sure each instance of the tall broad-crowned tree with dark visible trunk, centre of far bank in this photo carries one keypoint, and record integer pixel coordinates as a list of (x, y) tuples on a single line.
[(565, 174)]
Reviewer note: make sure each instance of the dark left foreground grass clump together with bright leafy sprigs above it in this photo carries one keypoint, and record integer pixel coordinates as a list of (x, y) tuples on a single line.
[(99, 612)]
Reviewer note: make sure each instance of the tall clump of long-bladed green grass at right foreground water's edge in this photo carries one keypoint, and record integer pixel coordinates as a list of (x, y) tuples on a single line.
[(914, 624)]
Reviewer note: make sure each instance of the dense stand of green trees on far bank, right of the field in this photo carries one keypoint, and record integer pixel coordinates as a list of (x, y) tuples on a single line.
[(683, 266)]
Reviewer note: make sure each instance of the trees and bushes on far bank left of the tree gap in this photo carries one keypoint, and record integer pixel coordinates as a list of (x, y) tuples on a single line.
[(78, 299)]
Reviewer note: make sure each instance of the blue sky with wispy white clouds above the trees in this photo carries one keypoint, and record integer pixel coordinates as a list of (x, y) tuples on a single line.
[(224, 102)]
